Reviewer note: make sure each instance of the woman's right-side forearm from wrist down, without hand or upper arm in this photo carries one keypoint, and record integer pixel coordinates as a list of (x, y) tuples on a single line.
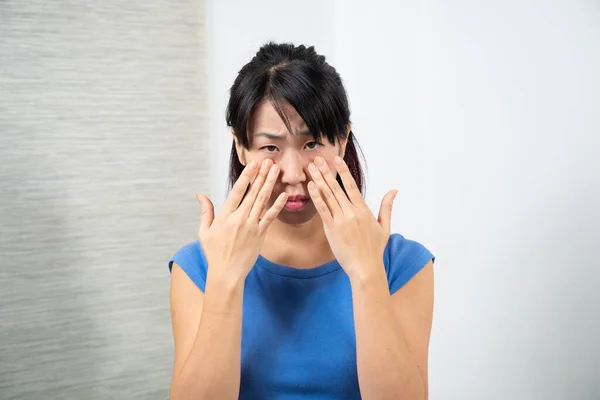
[(386, 369)]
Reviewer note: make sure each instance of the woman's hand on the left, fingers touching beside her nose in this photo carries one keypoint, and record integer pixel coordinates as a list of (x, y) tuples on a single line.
[(232, 239)]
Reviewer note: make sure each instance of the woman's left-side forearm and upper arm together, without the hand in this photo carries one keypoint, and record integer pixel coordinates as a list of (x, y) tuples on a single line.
[(207, 331)]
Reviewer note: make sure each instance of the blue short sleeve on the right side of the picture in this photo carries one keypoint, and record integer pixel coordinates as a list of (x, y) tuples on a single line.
[(403, 259)]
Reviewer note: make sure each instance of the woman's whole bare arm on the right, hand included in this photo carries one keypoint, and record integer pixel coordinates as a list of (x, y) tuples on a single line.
[(392, 332)]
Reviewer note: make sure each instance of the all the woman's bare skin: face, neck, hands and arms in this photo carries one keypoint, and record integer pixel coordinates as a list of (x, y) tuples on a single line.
[(392, 331)]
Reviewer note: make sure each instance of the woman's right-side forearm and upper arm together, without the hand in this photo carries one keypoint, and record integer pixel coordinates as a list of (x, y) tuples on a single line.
[(392, 335)]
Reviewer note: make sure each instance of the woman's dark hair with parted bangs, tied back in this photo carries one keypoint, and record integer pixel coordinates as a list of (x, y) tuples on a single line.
[(301, 77)]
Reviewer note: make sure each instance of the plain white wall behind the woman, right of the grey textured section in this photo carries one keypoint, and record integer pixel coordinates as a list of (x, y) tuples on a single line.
[(485, 118)]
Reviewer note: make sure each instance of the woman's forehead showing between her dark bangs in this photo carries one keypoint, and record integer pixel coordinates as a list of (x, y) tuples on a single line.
[(266, 119)]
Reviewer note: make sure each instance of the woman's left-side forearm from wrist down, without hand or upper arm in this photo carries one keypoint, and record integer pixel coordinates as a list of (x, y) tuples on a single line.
[(212, 369)]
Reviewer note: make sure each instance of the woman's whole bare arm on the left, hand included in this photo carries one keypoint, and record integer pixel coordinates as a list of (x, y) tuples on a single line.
[(208, 327)]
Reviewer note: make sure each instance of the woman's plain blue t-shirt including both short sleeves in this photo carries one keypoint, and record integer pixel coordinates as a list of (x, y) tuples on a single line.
[(298, 338)]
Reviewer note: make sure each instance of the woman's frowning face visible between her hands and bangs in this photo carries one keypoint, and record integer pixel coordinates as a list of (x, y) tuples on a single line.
[(293, 152)]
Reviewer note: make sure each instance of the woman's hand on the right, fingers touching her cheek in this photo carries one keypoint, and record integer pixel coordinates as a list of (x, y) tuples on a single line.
[(356, 238)]
